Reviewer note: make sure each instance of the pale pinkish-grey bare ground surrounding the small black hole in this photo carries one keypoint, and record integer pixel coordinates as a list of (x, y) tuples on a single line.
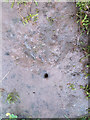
[(32, 50)]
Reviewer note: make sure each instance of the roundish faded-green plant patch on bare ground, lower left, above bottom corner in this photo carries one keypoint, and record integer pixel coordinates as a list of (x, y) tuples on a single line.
[(12, 97)]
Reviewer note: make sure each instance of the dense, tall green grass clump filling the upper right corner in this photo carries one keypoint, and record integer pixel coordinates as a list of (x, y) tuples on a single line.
[(83, 16)]
